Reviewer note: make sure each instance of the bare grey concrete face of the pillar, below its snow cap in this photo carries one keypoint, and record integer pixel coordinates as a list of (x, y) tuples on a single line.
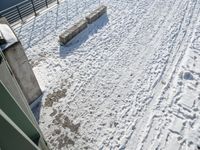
[(22, 70)]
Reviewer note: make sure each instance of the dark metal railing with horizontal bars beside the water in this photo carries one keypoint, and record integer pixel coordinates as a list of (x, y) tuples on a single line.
[(22, 10)]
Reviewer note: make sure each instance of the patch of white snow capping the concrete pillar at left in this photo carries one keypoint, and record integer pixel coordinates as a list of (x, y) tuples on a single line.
[(8, 35)]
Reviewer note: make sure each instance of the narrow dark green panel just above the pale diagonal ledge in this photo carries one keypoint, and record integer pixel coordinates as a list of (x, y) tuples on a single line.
[(11, 108)]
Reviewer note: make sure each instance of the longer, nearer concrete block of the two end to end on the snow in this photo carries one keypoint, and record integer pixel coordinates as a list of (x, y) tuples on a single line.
[(66, 36)]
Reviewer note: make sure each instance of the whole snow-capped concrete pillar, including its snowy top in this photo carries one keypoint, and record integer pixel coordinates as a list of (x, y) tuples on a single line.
[(18, 63)]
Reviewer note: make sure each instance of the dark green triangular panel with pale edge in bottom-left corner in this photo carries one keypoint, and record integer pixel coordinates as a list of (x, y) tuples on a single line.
[(12, 137)]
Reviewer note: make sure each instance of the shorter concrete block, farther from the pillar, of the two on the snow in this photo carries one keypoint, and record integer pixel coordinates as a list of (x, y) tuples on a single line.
[(96, 14)]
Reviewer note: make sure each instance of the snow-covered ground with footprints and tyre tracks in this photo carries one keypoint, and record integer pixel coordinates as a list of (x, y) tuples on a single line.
[(130, 81)]
